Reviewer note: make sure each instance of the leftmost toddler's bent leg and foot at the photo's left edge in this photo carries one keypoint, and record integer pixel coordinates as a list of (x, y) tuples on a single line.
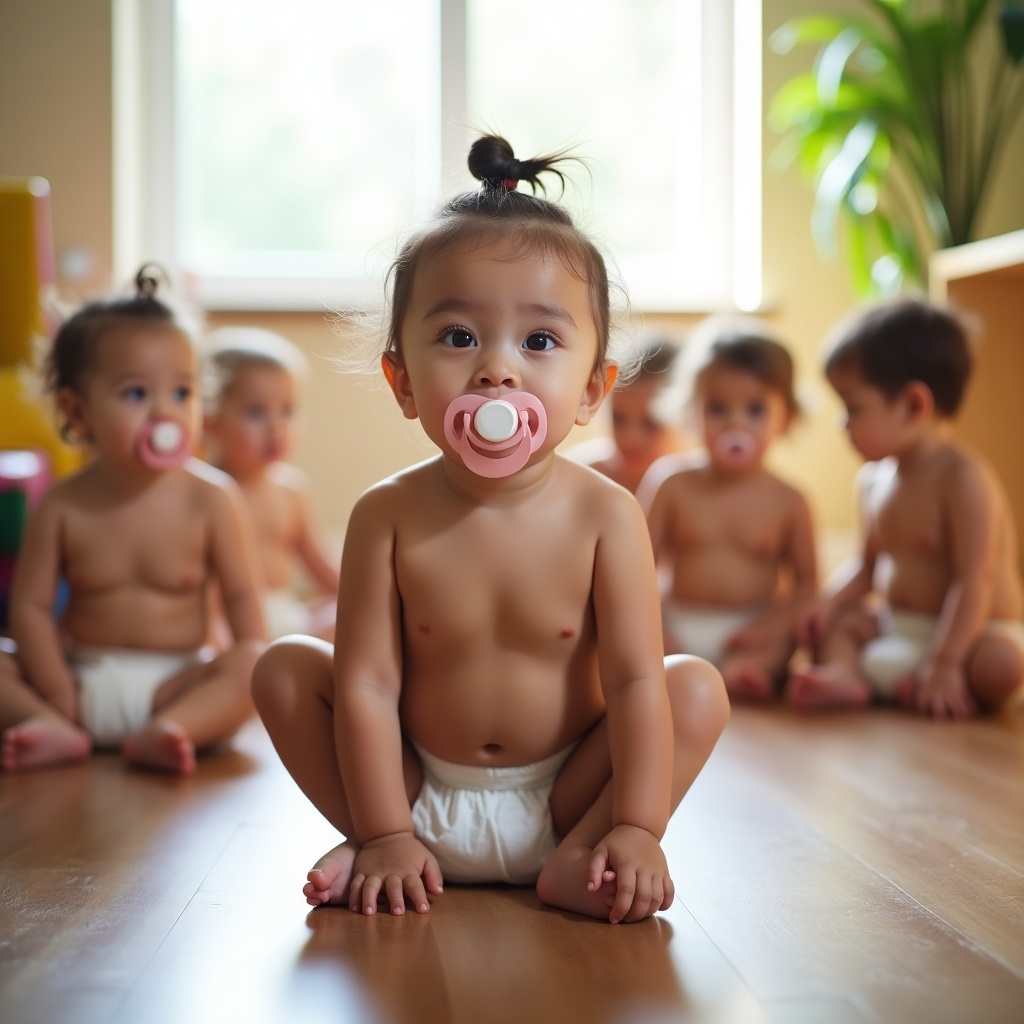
[(33, 734)]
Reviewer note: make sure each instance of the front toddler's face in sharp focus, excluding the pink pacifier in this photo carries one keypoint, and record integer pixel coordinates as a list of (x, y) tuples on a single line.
[(488, 322)]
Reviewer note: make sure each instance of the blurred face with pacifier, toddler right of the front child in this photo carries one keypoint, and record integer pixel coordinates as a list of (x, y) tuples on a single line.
[(740, 417)]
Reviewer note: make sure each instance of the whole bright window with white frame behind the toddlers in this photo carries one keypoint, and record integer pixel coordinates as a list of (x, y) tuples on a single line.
[(273, 155)]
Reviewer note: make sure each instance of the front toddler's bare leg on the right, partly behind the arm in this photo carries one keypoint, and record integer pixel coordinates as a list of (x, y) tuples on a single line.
[(581, 802)]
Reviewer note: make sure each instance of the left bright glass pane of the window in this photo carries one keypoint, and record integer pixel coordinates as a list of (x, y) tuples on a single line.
[(301, 126)]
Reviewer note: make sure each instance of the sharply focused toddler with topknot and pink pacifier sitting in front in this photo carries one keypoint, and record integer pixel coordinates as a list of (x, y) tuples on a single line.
[(497, 706)]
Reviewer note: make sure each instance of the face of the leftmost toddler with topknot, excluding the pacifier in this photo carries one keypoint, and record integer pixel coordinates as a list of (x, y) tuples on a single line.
[(144, 374)]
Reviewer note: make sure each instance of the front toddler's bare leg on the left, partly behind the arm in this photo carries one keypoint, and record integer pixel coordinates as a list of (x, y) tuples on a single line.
[(293, 688)]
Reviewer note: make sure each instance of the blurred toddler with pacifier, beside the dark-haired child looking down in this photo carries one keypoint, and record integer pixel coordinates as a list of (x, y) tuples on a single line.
[(735, 543)]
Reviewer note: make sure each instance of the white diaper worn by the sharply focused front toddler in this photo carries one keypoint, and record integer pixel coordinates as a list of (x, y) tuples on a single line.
[(488, 825)]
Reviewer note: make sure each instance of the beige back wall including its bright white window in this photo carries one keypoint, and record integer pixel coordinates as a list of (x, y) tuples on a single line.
[(272, 154)]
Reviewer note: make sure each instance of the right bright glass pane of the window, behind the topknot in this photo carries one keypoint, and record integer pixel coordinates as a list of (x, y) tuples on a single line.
[(620, 82)]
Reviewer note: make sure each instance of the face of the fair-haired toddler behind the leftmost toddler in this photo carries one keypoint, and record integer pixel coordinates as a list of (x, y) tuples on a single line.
[(254, 425)]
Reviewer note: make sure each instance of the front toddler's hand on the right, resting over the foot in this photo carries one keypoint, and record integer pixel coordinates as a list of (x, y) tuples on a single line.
[(643, 883)]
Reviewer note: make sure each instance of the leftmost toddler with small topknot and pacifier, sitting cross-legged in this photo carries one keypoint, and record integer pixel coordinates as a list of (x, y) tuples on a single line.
[(140, 535)]
